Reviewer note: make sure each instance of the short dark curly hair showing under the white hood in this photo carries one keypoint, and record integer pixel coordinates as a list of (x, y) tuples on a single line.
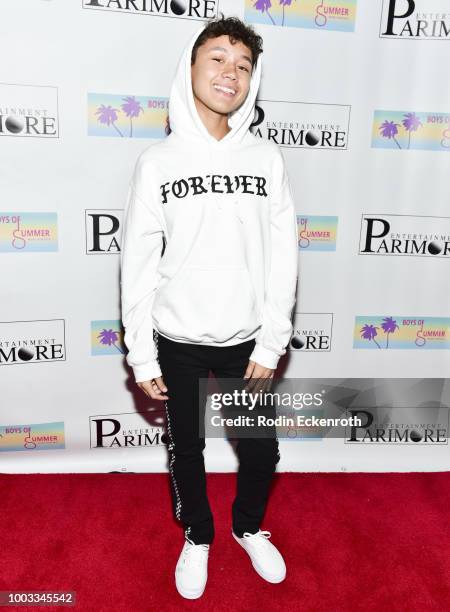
[(236, 29)]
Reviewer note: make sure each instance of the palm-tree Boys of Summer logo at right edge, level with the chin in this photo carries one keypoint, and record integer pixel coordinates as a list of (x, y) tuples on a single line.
[(402, 130)]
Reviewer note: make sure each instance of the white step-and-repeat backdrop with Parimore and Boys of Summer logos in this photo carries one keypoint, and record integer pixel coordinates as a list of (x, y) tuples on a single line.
[(357, 96)]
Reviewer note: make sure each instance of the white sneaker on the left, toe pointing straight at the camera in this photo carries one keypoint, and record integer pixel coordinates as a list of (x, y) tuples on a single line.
[(191, 572)]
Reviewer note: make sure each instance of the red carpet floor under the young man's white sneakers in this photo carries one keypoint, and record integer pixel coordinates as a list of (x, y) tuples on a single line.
[(366, 542)]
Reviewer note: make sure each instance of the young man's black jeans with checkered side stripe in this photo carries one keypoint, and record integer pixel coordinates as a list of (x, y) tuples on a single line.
[(182, 365)]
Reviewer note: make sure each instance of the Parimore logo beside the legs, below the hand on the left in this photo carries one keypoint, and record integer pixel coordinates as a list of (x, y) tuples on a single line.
[(128, 430)]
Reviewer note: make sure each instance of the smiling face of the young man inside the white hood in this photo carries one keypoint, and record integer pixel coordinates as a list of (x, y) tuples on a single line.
[(221, 75)]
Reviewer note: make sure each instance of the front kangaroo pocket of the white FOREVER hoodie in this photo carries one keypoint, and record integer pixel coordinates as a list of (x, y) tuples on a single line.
[(202, 304)]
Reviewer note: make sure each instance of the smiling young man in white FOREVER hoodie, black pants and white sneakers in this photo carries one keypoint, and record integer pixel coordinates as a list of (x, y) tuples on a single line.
[(208, 277)]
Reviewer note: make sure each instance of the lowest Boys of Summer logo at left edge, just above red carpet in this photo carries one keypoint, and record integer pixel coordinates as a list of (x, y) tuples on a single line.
[(33, 436)]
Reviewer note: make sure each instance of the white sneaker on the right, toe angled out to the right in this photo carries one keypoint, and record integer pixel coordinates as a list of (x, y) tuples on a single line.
[(265, 557)]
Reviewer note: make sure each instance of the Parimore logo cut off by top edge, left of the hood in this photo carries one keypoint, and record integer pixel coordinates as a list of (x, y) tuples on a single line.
[(192, 9)]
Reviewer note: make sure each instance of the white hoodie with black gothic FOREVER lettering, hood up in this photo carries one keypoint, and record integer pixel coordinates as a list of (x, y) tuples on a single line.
[(209, 239)]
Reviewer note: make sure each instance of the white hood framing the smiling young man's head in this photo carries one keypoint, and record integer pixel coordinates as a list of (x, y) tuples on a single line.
[(184, 119)]
